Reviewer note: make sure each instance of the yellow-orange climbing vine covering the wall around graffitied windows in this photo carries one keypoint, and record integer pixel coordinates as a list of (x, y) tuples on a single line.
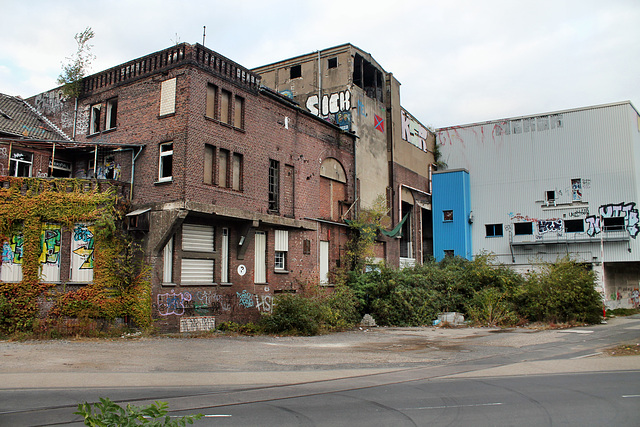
[(120, 287)]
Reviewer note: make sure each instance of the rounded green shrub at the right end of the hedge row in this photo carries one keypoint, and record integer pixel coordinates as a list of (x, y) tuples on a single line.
[(563, 291)]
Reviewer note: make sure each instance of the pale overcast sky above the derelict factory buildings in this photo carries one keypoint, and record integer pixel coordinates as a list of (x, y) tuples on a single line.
[(459, 61)]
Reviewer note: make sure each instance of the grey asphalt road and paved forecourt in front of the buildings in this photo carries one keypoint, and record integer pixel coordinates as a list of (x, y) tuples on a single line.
[(378, 377)]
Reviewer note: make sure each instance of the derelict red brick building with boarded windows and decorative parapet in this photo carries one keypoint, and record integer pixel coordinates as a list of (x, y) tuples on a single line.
[(236, 192)]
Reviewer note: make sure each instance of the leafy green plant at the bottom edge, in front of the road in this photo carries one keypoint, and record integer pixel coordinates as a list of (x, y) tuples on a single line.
[(108, 413)]
